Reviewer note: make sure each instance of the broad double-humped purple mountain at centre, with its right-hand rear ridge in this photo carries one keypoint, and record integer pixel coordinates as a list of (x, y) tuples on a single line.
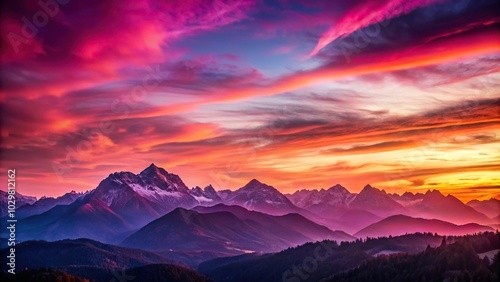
[(222, 230)]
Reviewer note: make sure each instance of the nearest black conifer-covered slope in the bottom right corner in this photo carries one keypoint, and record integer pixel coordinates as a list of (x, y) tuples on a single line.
[(455, 260)]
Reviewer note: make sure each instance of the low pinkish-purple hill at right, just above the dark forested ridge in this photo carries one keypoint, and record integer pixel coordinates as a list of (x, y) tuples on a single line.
[(400, 224)]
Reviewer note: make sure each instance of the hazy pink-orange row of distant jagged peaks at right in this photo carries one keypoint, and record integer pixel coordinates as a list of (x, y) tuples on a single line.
[(352, 212)]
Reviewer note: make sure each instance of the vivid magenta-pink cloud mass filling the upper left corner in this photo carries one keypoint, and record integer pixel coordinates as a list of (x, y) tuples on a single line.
[(86, 44)]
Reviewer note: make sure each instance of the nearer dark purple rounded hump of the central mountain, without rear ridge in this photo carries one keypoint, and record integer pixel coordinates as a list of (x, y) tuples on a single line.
[(188, 230)]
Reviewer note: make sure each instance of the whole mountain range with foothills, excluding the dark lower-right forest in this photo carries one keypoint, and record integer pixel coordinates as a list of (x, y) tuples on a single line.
[(152, 223)]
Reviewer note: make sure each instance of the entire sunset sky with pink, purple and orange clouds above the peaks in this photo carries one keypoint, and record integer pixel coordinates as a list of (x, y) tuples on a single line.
[(401, 94)]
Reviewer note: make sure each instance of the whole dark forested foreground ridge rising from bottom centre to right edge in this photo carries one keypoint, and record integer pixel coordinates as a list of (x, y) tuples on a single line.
[(415, 255)]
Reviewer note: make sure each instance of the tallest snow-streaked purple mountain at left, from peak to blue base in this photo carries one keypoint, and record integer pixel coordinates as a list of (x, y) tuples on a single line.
[(121, 203)]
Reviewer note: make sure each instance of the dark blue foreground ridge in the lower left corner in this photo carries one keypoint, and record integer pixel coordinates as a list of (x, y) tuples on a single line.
[(94, 261)]
